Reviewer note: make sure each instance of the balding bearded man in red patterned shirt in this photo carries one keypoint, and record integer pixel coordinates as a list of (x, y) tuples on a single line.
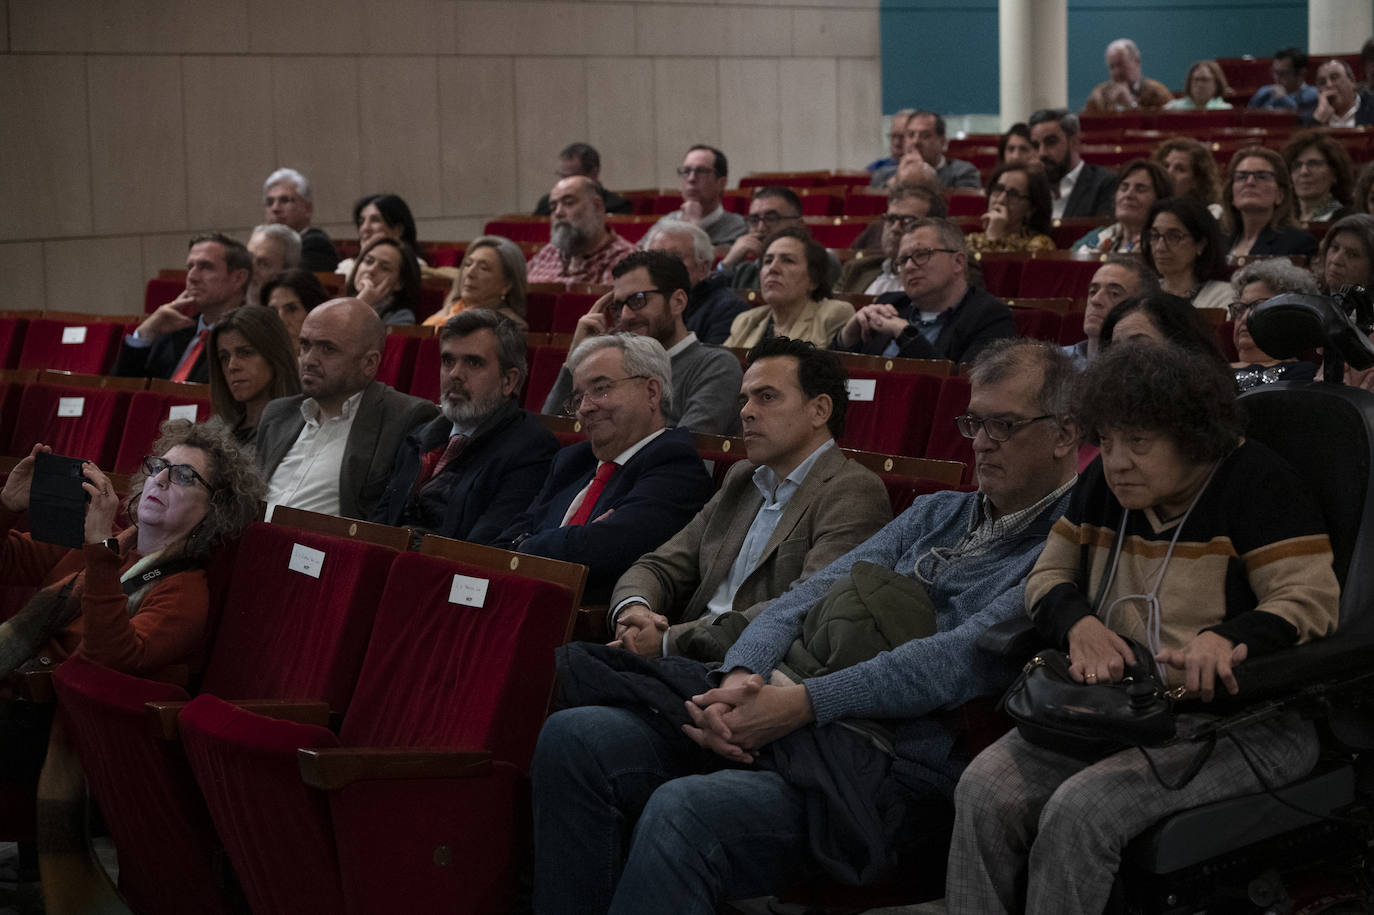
[(582, 248)]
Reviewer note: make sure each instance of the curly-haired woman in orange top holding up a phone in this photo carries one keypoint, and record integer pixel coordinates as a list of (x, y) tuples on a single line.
[(199, 491)]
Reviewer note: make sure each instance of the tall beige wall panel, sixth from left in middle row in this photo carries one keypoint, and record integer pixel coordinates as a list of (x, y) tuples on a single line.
[(477, 135)]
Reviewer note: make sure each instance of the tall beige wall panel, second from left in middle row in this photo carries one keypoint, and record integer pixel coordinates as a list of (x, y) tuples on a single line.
[(138, 152)]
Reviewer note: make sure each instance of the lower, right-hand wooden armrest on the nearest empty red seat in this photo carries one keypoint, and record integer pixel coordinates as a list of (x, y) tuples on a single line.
[(332, 769)]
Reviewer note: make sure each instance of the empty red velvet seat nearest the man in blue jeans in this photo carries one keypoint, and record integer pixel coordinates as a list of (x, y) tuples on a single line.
[(410, 829)]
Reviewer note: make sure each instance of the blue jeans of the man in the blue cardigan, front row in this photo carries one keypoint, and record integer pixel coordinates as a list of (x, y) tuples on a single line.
[(623, 822)]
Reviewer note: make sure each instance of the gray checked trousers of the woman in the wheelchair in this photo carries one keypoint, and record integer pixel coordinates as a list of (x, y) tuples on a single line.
[(1044, 833)]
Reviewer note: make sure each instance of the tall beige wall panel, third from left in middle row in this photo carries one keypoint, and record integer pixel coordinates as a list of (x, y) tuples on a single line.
[(229, 145)]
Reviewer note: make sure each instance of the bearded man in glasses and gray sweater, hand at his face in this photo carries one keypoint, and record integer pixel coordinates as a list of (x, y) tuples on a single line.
[(649, 295)]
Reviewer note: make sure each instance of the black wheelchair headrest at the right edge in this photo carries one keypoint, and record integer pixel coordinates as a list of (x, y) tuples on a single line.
[(1289, 325)]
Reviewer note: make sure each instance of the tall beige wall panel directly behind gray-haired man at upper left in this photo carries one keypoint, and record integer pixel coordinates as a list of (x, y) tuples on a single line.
[(315, 126)]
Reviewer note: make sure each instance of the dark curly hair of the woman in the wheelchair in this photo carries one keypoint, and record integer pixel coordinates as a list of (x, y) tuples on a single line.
[(1164, 389)]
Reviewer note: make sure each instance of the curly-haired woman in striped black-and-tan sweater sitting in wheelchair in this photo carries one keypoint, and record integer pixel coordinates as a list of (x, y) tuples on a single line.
[(1193, 542)]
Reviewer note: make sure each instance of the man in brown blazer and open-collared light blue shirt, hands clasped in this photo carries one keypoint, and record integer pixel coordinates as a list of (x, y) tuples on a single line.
[(793, 508)]
